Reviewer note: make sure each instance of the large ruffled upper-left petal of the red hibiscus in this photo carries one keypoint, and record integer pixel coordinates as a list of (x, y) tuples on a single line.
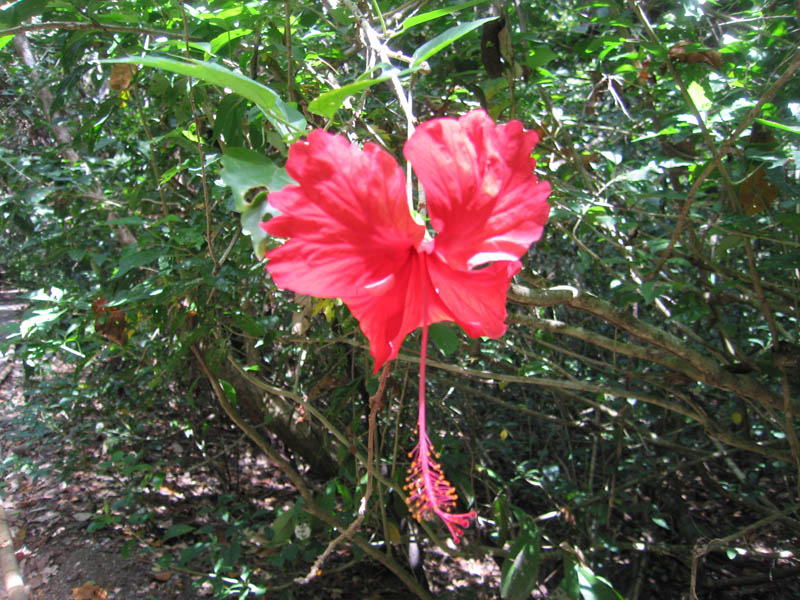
[(347, 220)]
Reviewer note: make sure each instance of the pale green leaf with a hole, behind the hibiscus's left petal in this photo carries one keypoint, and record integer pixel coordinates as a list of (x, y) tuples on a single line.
[(251, 176)]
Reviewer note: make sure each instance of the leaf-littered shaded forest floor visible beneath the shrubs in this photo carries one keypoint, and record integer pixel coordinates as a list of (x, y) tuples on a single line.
[(53, 491)]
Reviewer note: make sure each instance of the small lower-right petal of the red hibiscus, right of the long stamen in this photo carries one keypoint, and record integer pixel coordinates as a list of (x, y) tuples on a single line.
[(477, 298)]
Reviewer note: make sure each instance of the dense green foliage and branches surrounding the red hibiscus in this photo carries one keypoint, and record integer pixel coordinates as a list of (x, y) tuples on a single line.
[(642, 401)]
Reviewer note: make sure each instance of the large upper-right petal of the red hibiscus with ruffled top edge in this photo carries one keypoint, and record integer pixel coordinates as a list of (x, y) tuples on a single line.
[(481, 193)]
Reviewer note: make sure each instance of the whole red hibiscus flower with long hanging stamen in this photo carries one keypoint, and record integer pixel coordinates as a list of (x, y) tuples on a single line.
[(350, 235)]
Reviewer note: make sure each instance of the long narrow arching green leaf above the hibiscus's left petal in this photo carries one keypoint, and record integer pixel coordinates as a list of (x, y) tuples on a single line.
[(286, 119)]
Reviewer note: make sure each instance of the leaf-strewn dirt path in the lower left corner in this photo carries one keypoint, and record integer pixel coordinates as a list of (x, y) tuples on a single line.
[(59, 559)]
